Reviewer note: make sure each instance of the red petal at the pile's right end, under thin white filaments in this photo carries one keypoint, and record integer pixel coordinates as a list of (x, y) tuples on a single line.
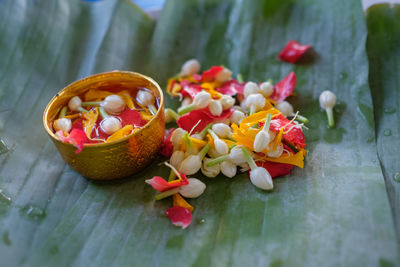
[(295, 135)]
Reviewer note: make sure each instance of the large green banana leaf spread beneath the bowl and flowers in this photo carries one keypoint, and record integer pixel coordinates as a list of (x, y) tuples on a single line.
[(333, 212)]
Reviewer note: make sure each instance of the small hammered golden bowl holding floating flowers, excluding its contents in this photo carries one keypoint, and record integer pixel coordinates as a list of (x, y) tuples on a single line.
[(120, 158)]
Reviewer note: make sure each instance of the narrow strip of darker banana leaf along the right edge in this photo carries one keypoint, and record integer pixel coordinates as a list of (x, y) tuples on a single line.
[(384, 55)]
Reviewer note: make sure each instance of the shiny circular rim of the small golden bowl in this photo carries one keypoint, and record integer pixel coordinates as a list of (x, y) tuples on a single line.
[(66, 88)]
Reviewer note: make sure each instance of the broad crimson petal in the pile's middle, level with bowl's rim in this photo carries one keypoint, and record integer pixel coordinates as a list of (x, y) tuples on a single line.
[(189, 120)]
